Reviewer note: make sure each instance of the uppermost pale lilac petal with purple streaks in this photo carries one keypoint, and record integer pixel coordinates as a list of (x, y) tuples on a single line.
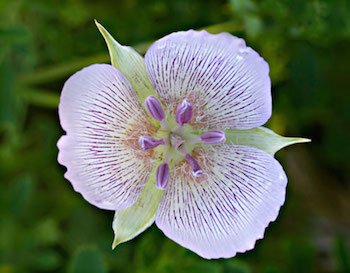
[(226, 81)]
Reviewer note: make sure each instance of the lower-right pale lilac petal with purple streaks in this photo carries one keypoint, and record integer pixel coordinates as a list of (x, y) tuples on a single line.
[(226, 209)]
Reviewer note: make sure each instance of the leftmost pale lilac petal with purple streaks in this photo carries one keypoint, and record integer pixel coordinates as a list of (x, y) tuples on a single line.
[(104, 119)]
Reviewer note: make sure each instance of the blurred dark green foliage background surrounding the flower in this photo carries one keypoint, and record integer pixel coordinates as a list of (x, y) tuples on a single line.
[(46, 227)]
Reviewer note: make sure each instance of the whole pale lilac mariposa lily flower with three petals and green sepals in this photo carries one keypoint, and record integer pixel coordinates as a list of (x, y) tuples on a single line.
[(174, 138)]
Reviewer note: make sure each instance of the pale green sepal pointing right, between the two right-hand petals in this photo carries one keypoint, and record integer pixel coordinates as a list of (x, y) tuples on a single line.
[(261, 138)]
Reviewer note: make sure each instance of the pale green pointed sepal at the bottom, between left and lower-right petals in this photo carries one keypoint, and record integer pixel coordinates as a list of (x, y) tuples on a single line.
[(129, 223)]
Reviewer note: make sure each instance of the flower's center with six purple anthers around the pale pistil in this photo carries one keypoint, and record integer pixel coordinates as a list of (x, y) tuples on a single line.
[(177, 143)]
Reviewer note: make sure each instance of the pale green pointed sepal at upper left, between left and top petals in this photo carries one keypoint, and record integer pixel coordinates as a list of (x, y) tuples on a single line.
[(130, 63)]
